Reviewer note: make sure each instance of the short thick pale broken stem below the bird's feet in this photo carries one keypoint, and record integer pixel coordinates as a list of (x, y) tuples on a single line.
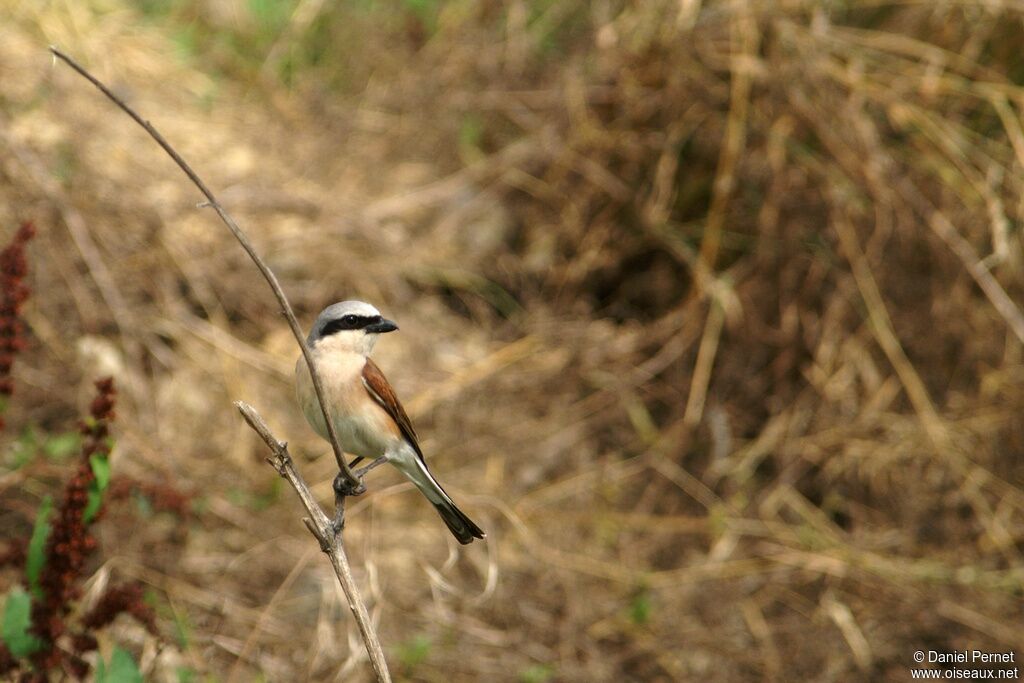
[(326, 531)]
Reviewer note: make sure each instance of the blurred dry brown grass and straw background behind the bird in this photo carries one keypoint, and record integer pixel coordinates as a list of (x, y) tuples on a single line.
[(710, 317)]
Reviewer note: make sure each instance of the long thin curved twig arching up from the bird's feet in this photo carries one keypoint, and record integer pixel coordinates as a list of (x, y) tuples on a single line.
[(350, 480)]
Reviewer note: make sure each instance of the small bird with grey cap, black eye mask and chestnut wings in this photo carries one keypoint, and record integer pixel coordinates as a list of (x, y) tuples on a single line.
[(368, 417)]
